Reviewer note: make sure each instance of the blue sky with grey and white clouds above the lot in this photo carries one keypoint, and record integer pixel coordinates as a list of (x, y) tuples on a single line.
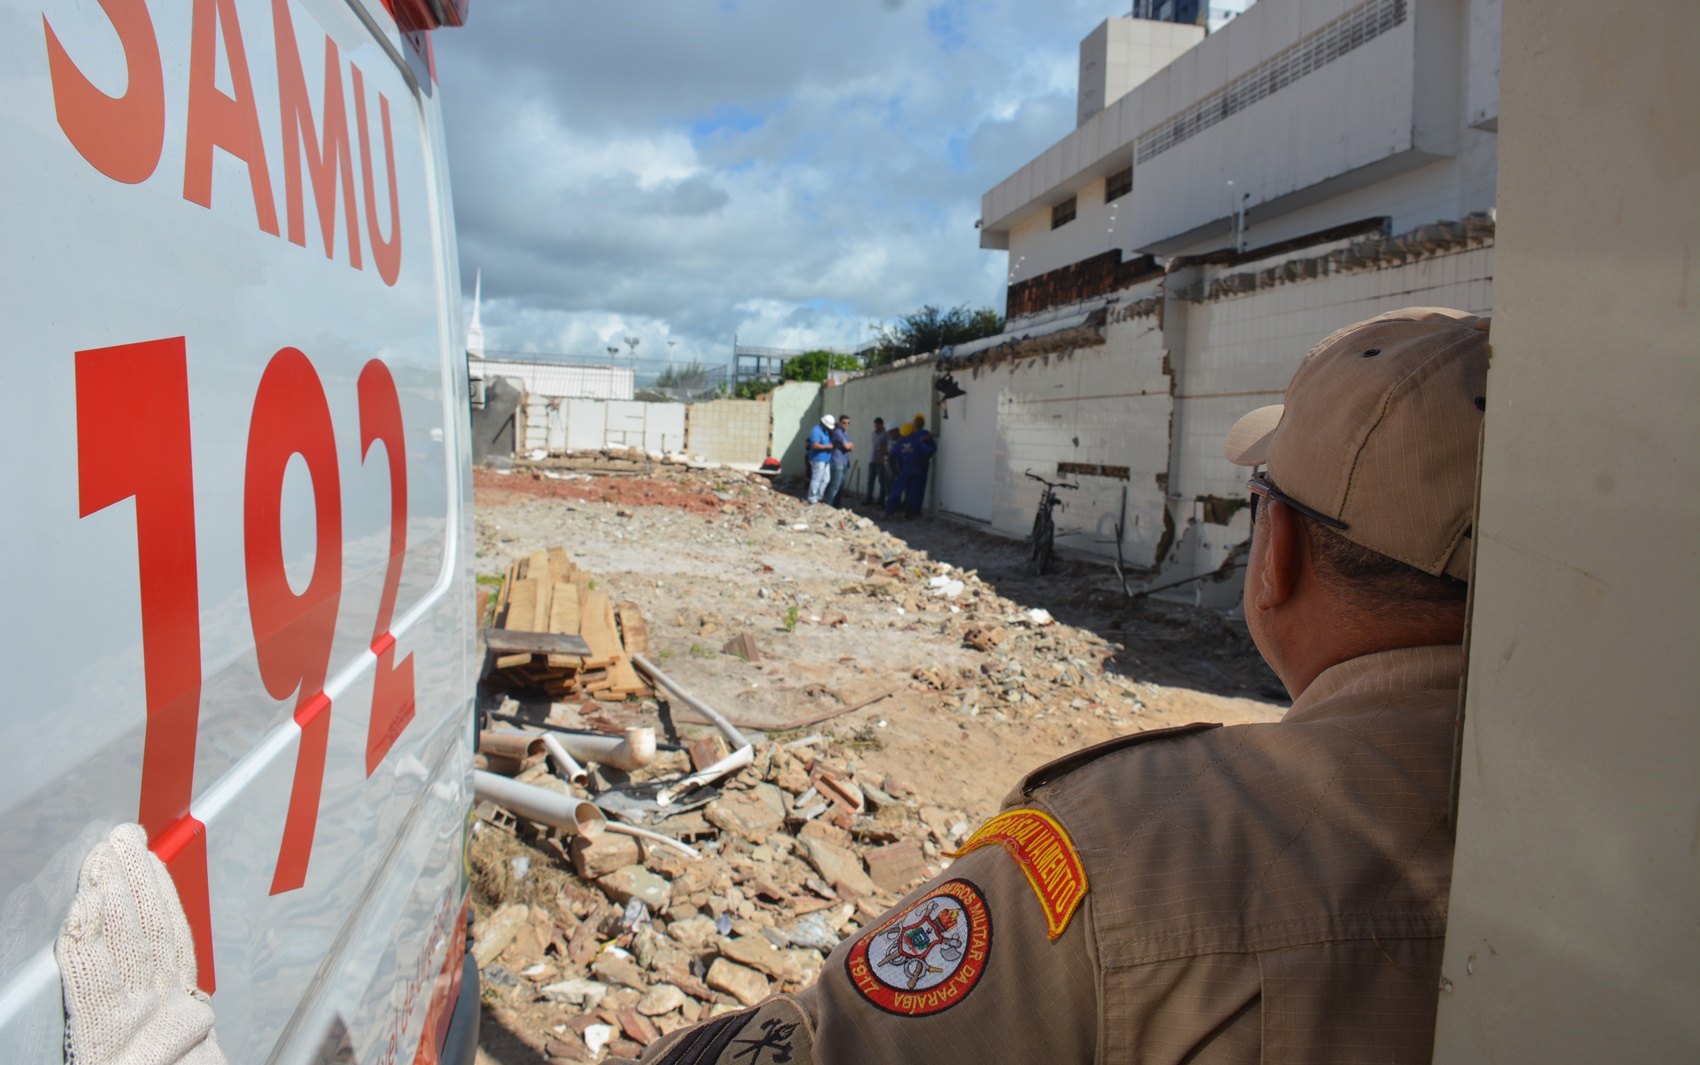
[(786, 171)]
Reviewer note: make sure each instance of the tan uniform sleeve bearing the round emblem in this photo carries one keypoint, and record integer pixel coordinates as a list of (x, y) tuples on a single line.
[(963, 971)]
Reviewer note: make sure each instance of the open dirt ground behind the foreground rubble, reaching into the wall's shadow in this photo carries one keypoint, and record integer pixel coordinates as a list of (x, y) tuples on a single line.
[(846, 607)]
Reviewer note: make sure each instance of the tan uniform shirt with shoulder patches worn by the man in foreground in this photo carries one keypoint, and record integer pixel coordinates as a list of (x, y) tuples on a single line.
[(1252, 894)]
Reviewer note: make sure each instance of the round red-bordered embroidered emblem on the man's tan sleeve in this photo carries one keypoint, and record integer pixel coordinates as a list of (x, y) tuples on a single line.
[(929, 957)]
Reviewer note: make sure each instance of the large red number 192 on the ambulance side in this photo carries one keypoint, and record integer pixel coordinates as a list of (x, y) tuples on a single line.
[(133, 443)]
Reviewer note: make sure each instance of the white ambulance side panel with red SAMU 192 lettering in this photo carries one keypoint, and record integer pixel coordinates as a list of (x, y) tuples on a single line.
[(235, 554)]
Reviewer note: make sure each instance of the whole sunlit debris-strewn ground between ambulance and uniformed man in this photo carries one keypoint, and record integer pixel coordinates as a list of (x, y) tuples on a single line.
[(807, 831)]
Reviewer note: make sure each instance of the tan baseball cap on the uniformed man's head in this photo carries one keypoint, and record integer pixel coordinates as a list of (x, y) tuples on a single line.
[(1380, 431)]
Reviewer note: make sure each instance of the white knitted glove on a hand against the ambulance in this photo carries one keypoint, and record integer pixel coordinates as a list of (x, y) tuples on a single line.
[(128, 965)]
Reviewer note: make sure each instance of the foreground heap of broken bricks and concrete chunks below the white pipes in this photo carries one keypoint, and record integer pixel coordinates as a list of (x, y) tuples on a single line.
[(606, 943)]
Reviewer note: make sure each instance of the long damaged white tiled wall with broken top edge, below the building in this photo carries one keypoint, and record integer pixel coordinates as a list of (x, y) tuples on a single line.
[(1130, 396)]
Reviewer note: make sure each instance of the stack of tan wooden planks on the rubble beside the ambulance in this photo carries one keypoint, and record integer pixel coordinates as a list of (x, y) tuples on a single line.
[(547, 595)]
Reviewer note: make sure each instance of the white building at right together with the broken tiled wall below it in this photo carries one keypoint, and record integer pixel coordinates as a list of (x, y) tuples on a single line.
[(1223, 203)]
